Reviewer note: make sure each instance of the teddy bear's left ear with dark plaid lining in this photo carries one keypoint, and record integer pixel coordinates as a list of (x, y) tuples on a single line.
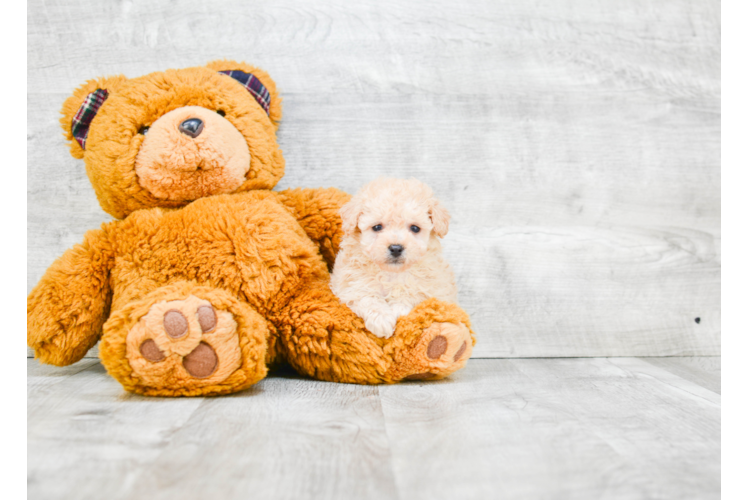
[(81, 108)]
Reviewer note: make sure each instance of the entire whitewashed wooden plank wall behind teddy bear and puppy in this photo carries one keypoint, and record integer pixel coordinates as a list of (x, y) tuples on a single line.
[(571, 141)]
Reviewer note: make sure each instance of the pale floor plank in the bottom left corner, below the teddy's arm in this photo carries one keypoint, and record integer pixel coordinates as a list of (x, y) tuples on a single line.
[(85, 436)]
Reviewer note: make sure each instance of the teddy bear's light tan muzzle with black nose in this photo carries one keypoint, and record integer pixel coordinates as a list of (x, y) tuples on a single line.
[(192, 152)]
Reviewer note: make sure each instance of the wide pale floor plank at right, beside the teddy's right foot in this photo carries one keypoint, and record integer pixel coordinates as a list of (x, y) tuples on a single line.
[(582, 428)]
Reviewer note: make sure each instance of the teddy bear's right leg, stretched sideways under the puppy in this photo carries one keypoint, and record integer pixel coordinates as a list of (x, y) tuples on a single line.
[(326, 340)]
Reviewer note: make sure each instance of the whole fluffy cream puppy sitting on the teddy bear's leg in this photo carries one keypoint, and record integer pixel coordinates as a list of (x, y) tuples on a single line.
[(390, 258)]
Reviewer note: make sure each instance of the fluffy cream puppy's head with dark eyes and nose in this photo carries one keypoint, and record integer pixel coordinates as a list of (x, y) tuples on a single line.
[(393, 221)]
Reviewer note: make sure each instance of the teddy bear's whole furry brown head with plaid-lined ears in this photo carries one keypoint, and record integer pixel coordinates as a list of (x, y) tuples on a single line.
[(171, 137)]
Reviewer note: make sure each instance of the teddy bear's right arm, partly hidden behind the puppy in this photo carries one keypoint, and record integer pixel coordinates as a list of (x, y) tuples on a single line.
[(317, 211)]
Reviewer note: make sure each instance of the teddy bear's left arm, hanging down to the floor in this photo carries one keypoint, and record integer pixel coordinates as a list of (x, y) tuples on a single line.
[(66, 311)]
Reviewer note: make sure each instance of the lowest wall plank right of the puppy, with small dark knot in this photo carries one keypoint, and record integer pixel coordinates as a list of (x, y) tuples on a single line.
[(582, 291)]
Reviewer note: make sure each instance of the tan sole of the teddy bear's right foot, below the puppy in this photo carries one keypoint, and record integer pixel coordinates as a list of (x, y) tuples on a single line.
[(442, 349)]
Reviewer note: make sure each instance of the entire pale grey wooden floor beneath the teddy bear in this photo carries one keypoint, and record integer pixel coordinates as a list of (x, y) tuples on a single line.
[(591, 428)]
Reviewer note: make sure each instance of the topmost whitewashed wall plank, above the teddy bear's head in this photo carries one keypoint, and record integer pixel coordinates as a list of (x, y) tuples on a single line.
[(433, 47)]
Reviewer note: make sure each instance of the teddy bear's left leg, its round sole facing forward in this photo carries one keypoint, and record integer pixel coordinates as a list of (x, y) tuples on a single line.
[(185, 340)]
